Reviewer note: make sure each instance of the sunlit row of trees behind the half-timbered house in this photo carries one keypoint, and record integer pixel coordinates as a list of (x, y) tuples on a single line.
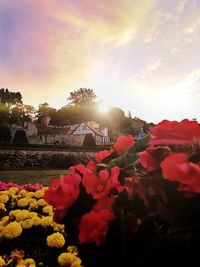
[(81, 106)]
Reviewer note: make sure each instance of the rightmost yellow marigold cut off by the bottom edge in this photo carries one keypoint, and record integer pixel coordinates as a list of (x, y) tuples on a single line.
[(69, 259)]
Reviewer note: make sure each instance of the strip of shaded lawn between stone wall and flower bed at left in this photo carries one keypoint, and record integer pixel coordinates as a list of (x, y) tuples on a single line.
[(31, 176)]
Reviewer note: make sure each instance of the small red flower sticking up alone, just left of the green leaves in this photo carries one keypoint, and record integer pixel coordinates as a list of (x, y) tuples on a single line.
[(124, 143)]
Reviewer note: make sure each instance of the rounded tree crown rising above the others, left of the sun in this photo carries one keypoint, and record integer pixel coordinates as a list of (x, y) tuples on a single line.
[(82, 96)]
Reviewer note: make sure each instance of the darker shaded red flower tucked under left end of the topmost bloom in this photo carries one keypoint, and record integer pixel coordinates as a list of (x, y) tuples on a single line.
[(151, 158)]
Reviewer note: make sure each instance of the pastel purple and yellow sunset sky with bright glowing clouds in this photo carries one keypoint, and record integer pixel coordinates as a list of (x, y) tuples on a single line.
[(139, 55)]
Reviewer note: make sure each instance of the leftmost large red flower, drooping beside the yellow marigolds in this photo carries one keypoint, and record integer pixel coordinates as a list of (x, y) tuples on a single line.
[(62, 193)]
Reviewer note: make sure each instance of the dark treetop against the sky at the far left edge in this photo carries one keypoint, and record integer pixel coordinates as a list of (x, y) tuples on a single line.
[(10, 98)]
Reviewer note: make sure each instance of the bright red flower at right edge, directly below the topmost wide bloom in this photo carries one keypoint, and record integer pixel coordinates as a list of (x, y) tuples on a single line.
[(177, 167)]
